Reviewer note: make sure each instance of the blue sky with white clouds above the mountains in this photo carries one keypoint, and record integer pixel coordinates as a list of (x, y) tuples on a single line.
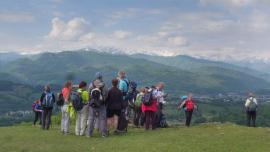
[(215, 29)]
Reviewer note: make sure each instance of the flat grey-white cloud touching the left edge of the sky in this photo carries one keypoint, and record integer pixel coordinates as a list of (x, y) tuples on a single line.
[(16, 17)]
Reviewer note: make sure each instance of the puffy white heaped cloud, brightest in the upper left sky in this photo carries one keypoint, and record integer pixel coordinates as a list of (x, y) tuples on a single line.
[(71, 30)]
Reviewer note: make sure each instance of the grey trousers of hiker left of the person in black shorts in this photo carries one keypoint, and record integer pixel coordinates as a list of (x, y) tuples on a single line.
[(97, 115)]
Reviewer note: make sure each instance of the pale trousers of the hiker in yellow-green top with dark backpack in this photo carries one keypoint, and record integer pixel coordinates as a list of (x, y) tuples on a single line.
[(81, 120)]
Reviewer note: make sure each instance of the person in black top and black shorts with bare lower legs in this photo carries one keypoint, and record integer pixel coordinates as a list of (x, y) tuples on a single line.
[(114, 105)]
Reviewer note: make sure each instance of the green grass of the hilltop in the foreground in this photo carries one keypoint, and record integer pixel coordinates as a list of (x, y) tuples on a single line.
[(202, 138)]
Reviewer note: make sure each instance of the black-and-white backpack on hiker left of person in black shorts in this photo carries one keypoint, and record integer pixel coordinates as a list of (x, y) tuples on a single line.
[(96, 99)]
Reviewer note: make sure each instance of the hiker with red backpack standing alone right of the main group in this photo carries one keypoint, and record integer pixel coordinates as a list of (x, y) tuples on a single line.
[(188, 104)]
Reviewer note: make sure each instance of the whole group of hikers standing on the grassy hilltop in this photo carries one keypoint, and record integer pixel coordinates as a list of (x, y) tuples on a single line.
[(95, 106)]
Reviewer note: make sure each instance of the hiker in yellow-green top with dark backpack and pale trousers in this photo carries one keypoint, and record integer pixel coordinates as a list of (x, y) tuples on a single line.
[(82, 110)]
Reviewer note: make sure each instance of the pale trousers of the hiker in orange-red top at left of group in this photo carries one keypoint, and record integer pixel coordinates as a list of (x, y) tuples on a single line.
[(65, 119)]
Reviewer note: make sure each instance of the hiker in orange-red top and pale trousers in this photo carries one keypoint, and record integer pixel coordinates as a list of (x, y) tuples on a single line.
[(66, 92)]
